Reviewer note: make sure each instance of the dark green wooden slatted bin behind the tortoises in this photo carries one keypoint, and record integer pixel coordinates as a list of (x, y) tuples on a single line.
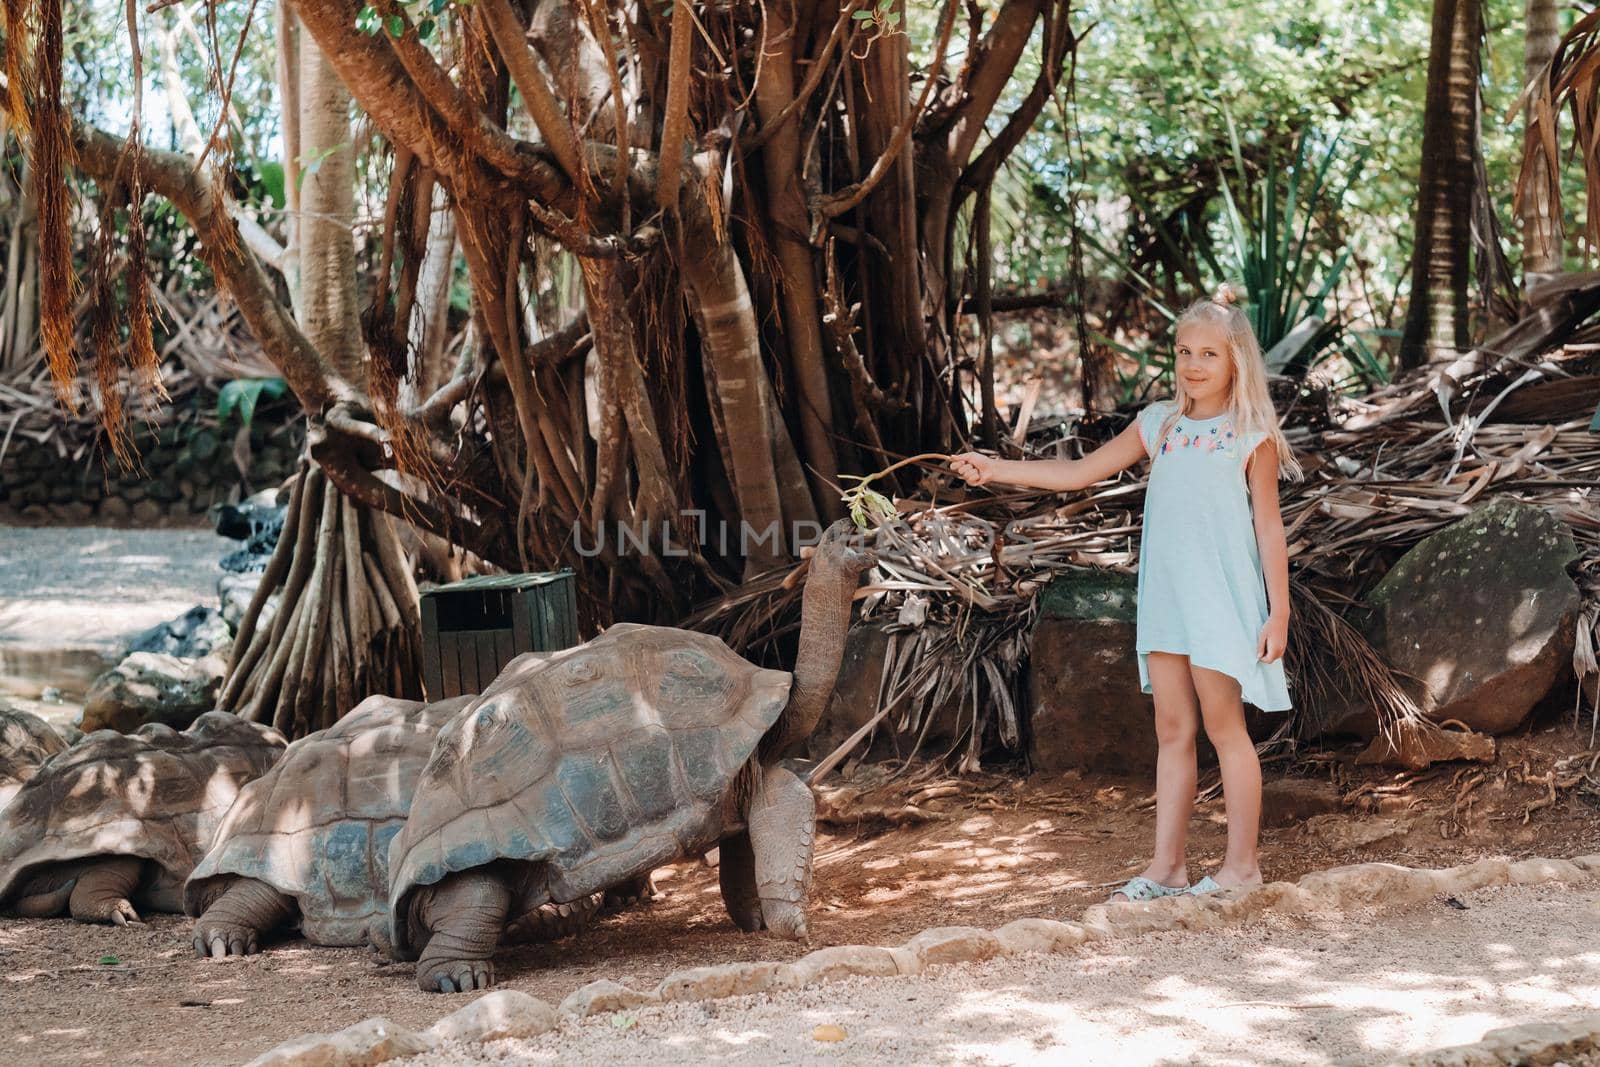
[(471, 629)]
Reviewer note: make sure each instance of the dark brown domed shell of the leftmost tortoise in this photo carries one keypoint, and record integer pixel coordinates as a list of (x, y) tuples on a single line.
[(158, 794)]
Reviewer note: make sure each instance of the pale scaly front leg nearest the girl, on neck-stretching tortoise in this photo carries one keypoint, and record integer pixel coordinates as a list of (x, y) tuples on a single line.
[(782, 828)]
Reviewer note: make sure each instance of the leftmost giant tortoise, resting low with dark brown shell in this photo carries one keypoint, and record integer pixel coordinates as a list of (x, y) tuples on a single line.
[(124, 818)]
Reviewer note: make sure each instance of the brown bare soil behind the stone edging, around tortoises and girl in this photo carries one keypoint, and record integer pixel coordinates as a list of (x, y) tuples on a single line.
[(990, 850)]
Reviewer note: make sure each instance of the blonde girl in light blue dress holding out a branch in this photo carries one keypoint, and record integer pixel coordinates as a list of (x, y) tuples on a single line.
[(1214, 577)]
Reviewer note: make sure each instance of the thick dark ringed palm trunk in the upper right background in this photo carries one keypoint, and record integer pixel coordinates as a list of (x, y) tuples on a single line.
[(1441, 270)]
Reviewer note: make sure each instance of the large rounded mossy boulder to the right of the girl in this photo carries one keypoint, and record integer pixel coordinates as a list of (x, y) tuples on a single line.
[(1482, 615)]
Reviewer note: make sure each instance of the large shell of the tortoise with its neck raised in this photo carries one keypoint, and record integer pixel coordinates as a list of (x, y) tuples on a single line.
[(599, 762)]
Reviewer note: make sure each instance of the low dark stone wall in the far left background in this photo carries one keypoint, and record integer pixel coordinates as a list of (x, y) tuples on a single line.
[(188, 468)]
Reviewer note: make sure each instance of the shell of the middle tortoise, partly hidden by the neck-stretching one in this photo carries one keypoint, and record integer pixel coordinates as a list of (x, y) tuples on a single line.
[(318, 826)]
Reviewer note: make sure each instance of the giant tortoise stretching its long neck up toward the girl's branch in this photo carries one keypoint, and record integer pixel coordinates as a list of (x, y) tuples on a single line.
[(588, 767)]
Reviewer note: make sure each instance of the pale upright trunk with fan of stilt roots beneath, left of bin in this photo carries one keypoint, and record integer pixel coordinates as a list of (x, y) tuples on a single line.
[(348, 621)]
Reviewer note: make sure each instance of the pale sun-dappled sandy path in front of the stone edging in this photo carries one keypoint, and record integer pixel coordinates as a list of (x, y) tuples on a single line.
[(1359, 989)]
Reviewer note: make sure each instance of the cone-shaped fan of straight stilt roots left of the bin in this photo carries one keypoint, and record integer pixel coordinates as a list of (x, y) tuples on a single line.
[(348, 621)]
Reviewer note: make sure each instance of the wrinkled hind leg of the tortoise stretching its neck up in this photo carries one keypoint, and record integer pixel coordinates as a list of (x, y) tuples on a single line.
[(463, 919)]
